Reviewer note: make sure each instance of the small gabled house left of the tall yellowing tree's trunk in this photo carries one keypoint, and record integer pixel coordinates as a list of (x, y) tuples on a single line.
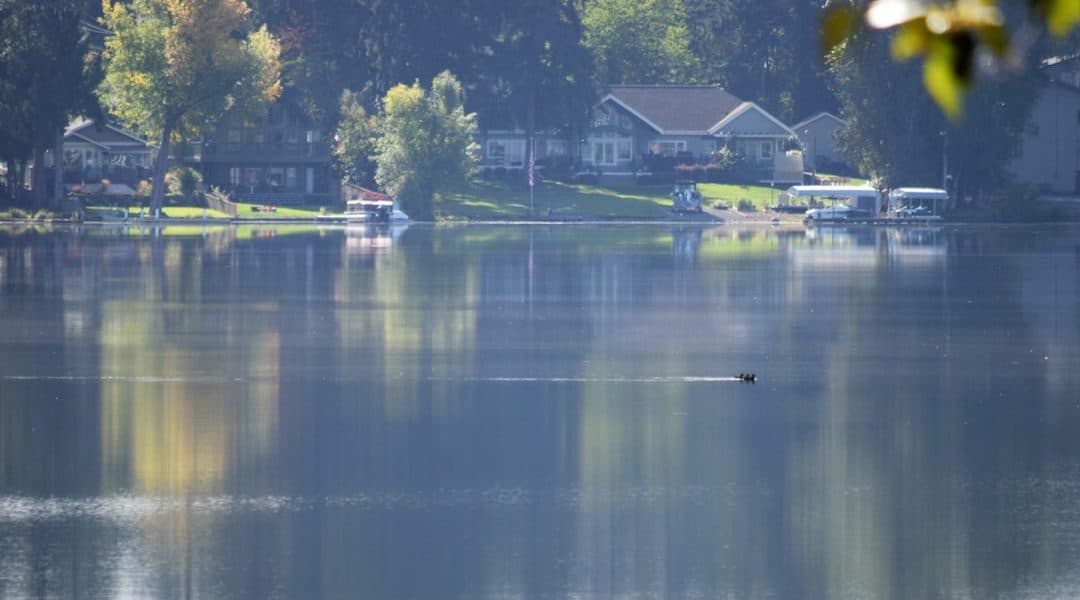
[(94, 152)]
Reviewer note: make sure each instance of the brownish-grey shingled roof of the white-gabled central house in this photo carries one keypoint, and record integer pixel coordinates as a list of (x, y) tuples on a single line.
[(678, 108)]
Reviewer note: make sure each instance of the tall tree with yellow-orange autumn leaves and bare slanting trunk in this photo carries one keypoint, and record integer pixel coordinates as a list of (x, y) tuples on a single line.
[(175, 66)]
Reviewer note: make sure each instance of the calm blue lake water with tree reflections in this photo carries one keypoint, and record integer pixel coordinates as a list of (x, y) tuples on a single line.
[(518, 412)]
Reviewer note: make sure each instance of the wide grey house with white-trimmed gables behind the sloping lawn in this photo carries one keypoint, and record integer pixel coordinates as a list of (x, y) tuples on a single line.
[(636, 124)]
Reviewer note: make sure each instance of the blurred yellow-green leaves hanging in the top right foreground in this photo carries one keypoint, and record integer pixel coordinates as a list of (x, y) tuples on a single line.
[(950, 36)]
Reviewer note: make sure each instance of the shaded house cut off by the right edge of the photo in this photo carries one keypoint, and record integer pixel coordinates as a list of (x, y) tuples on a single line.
[(1049, 156)]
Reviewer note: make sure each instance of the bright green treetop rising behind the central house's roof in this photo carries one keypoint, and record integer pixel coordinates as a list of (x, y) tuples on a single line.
[(640, 42)]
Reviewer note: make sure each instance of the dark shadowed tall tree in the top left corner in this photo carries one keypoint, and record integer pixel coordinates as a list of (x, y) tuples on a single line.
[(45, 78)]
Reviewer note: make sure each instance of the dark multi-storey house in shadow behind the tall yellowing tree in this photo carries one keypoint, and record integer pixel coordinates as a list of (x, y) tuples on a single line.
[(278, 159)]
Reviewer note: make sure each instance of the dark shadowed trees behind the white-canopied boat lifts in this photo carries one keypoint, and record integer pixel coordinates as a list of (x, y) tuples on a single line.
[(896, 132)]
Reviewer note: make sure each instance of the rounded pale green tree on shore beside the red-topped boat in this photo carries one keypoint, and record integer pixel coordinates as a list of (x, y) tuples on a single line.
[(427, 143)]
